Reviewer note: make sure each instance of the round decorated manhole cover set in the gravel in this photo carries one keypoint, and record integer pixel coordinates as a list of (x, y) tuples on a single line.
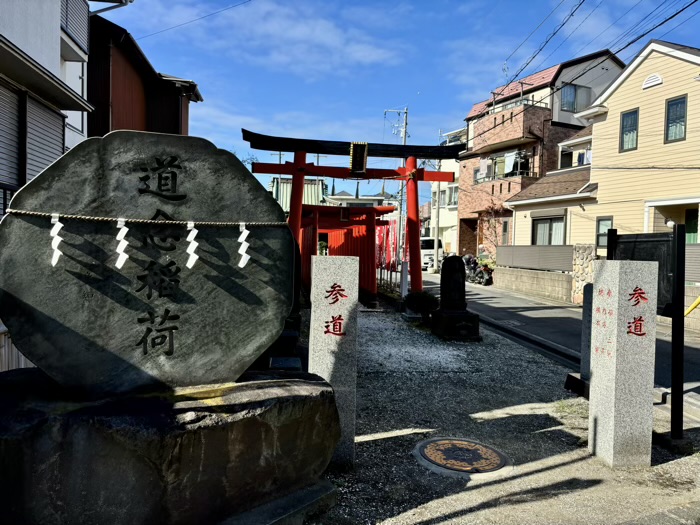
[(460, 455)]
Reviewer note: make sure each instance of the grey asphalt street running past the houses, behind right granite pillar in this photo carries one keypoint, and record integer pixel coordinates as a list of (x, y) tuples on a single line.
[(560, 323)]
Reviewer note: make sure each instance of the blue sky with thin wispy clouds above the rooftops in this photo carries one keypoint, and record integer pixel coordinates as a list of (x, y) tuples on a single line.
[(328, 69)]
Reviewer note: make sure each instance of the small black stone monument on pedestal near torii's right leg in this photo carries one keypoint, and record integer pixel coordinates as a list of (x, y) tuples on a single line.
[(452, 321)]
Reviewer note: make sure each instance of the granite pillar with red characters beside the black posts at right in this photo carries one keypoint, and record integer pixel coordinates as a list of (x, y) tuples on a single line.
[(623, 342)]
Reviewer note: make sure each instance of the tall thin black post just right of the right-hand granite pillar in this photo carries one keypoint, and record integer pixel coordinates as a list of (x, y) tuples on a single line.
[(678, 332)]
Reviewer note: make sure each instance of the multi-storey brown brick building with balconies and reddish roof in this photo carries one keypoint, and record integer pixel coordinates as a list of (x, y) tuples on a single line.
[(512, 140)]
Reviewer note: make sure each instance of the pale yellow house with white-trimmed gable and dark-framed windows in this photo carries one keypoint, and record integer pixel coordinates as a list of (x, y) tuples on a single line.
[(645, 167)]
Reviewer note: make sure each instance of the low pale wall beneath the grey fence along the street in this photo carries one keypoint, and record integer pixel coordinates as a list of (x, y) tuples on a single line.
[(552, 285)]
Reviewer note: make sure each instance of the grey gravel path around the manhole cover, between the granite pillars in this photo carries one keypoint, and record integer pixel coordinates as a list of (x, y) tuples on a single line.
[(412, 386)]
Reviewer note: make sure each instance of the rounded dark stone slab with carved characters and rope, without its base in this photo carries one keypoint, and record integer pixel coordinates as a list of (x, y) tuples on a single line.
[(140, 260)]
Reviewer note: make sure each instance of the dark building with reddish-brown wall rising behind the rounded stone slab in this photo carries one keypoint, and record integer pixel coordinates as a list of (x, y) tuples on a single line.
[(127, 92)]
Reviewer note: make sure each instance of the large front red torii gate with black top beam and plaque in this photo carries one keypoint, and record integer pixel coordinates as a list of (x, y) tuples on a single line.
[(358, 153)]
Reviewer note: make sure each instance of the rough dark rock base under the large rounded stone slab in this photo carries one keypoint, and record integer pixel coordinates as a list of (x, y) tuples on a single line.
[(192, 455)]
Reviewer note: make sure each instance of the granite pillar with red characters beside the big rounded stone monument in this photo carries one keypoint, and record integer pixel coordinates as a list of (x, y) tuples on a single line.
[(333, 340)]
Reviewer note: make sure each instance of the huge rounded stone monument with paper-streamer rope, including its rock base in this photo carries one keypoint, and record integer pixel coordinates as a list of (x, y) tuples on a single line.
[(143, 274)]
